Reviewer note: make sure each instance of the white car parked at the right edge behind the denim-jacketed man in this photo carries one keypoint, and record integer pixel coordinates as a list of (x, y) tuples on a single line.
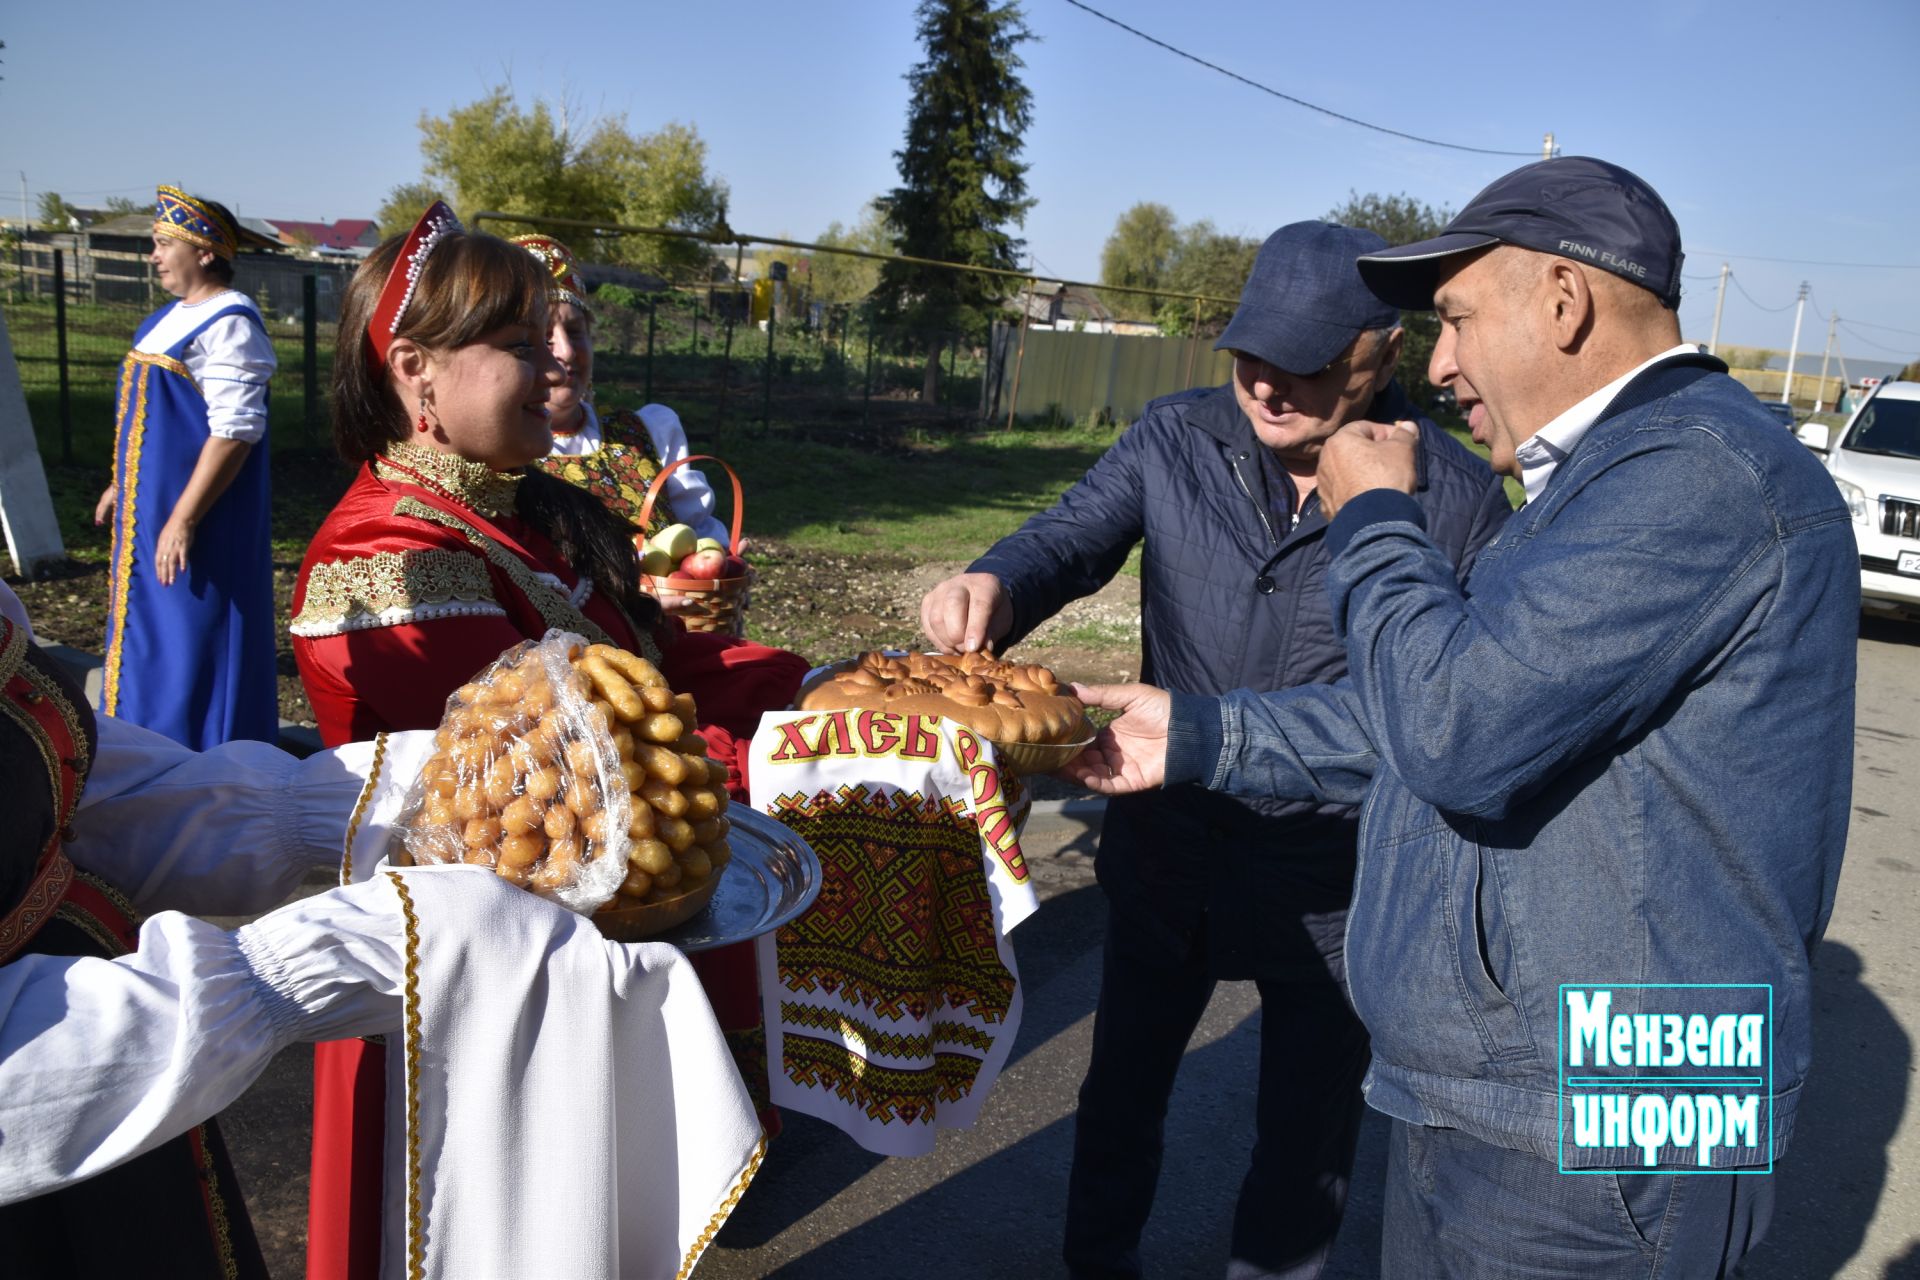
[(1877, 463)]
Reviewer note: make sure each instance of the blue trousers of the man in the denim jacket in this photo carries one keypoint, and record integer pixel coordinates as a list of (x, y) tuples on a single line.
[(1464, 1210)]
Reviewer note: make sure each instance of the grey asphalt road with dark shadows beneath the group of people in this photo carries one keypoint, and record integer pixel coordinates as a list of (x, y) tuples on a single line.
[(988, 1202)]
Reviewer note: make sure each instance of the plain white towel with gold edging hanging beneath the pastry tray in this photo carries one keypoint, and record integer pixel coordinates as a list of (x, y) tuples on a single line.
[(558, 1104)]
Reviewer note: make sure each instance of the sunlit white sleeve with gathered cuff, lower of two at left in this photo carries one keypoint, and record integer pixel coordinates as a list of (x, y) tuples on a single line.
[(103, 1060)]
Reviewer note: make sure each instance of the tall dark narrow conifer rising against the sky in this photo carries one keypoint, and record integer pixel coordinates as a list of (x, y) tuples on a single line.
[(963, 183)]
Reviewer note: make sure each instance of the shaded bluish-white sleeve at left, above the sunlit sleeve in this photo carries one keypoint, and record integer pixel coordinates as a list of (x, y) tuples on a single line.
[(226, 832)]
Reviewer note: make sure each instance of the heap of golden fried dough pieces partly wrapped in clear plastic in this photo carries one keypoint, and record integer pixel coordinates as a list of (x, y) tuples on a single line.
[(571, 769)]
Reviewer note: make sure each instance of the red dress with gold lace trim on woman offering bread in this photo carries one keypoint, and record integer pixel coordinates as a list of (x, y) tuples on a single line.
[(420, 579)]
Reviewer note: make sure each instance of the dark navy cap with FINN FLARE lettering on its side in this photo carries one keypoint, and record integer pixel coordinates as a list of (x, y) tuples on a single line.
[(1577, 206)]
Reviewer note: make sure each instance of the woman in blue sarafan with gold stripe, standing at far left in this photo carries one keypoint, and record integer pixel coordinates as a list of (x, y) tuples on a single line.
[(191, 615)]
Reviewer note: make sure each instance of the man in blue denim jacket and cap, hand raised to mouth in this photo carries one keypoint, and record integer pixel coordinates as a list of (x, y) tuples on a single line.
[(1620, 755)]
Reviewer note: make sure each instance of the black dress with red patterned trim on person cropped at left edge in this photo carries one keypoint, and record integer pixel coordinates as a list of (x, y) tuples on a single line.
[(178, 1208)]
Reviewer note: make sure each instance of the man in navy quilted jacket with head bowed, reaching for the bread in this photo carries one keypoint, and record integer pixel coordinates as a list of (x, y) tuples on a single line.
[(1222, 488)]
